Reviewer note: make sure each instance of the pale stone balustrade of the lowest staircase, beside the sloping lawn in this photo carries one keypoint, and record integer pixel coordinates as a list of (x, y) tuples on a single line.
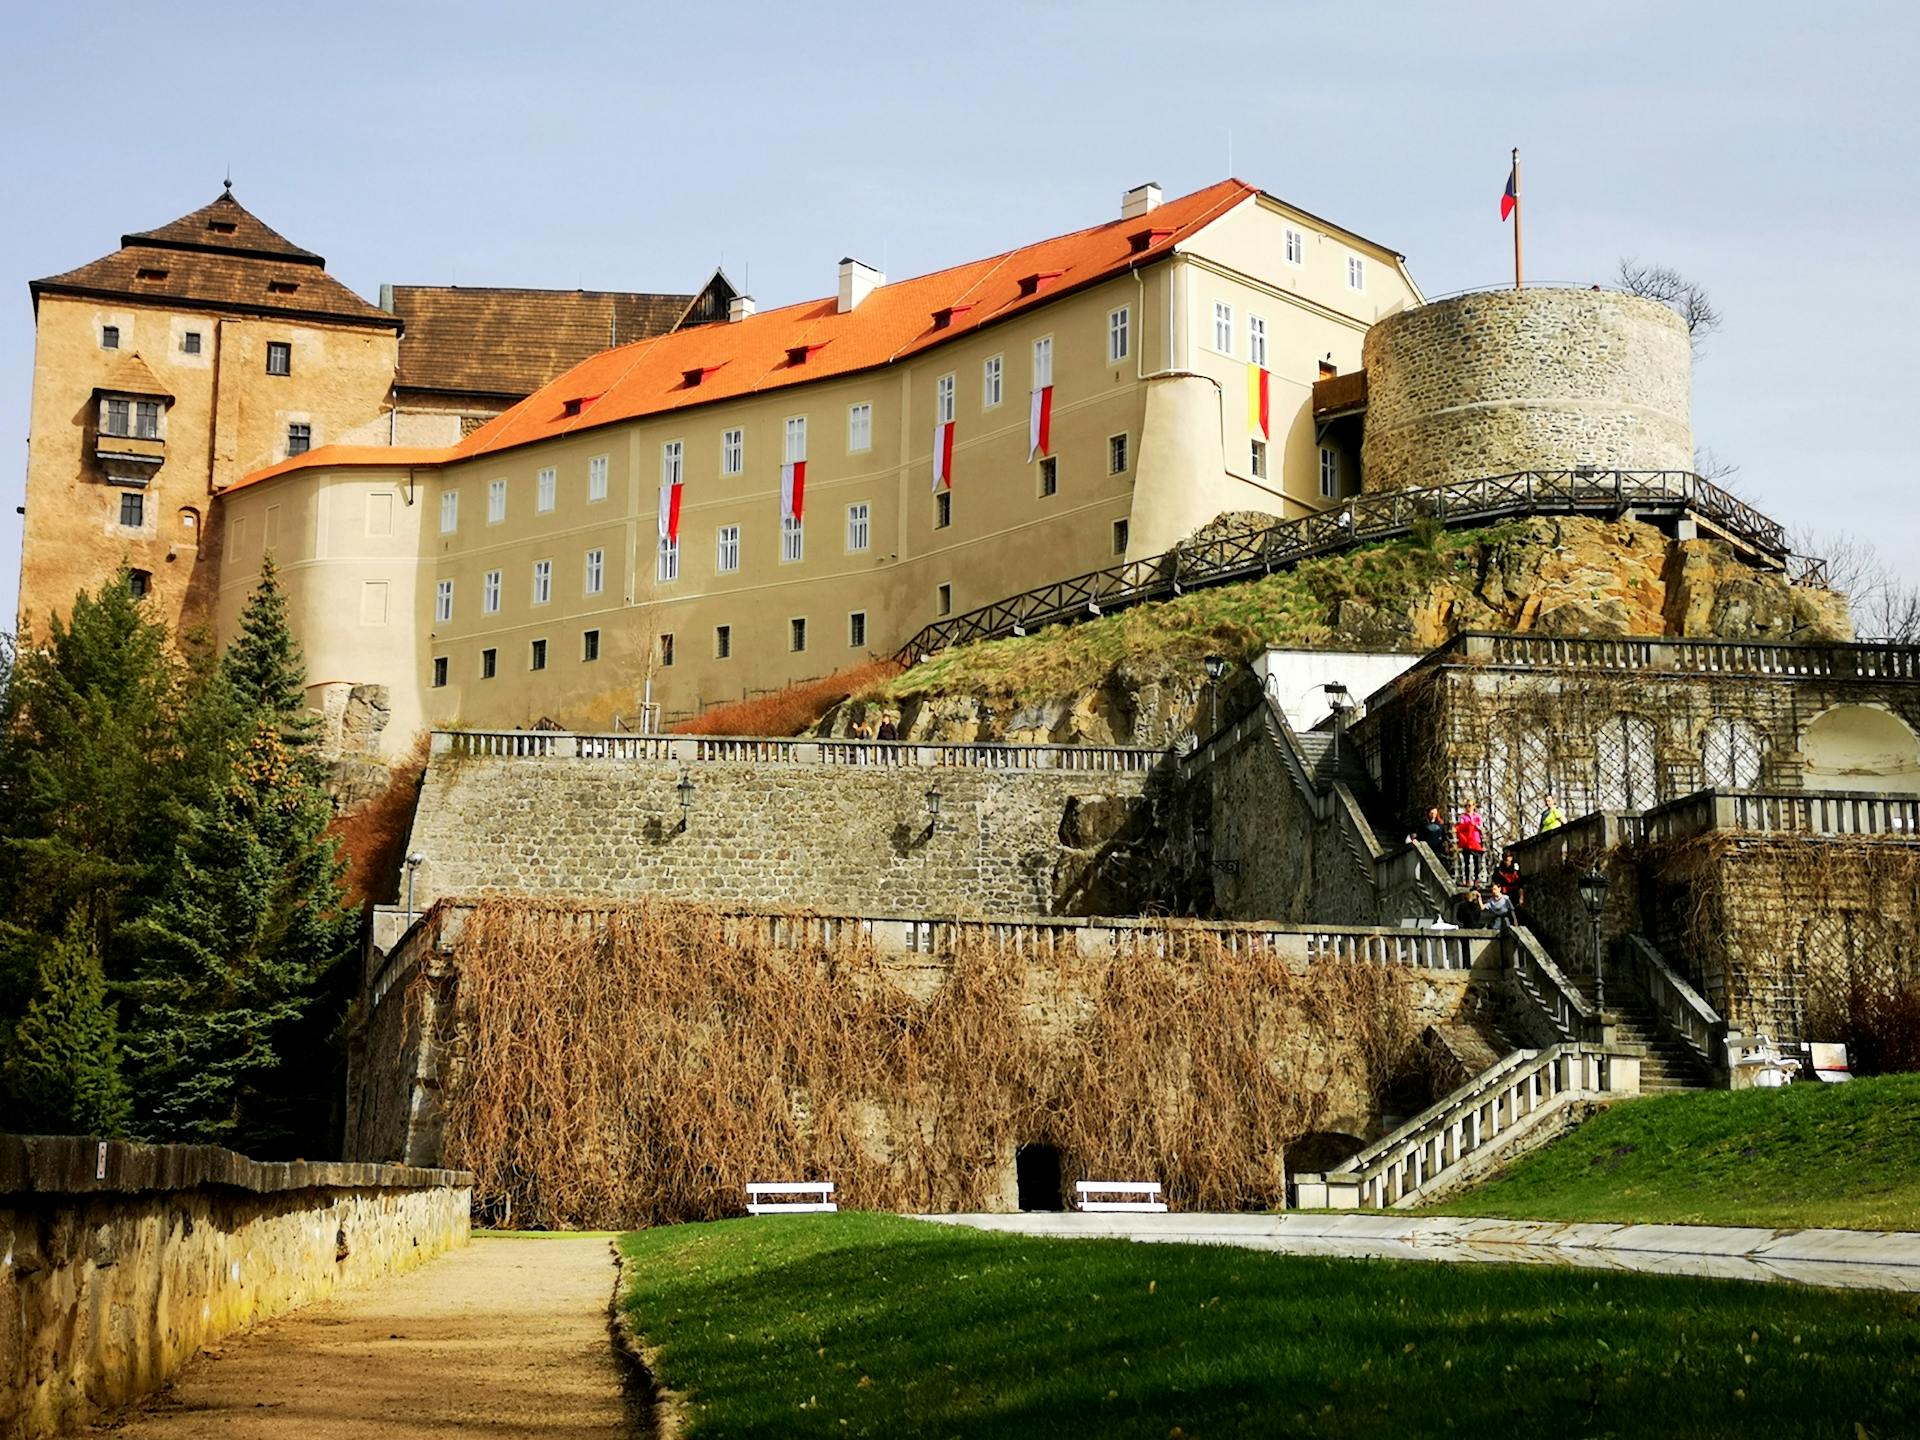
[(1474, 1126)]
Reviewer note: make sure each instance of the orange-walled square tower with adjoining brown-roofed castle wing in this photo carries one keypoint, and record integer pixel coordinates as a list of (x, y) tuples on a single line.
[(212, 347)]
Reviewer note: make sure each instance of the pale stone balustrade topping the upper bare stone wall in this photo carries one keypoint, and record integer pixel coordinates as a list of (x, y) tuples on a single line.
[(732, 750)]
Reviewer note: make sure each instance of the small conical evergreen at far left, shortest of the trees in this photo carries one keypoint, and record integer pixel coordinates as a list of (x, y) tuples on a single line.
[(62, 1074)]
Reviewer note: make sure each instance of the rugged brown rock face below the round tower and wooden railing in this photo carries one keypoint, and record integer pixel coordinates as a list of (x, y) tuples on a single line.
[(1556, 577)]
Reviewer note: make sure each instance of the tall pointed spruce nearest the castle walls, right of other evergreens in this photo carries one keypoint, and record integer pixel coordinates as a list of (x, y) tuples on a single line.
[(237, 953)]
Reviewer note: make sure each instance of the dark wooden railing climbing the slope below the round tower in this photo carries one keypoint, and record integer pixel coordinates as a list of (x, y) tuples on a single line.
[(1249, 552)]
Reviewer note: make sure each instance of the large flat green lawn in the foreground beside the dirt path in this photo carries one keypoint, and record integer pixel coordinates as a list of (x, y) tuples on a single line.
[(873, 1326)]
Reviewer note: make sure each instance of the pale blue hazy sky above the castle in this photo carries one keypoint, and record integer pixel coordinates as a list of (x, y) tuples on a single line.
[(1764, 149)]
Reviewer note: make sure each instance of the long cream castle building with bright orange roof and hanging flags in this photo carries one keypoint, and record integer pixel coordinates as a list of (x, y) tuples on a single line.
[(773, 498)]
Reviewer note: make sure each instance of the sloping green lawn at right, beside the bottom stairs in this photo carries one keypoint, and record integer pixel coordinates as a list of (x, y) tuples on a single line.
[(1810, 1155)]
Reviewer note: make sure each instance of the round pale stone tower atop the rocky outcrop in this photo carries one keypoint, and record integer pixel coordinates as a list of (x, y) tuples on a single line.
[(1525, 381)]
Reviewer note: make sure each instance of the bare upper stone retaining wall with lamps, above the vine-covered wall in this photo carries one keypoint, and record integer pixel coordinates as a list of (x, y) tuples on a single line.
[(842, 838)]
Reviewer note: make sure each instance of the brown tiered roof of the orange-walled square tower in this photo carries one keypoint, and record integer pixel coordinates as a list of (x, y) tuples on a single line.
[(218, 258)]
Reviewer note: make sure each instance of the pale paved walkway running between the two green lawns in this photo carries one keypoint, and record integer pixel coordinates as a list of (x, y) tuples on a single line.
[(1838, 1259)]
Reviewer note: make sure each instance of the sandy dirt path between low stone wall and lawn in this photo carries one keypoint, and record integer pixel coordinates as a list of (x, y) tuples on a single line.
[(500, 1339)]
